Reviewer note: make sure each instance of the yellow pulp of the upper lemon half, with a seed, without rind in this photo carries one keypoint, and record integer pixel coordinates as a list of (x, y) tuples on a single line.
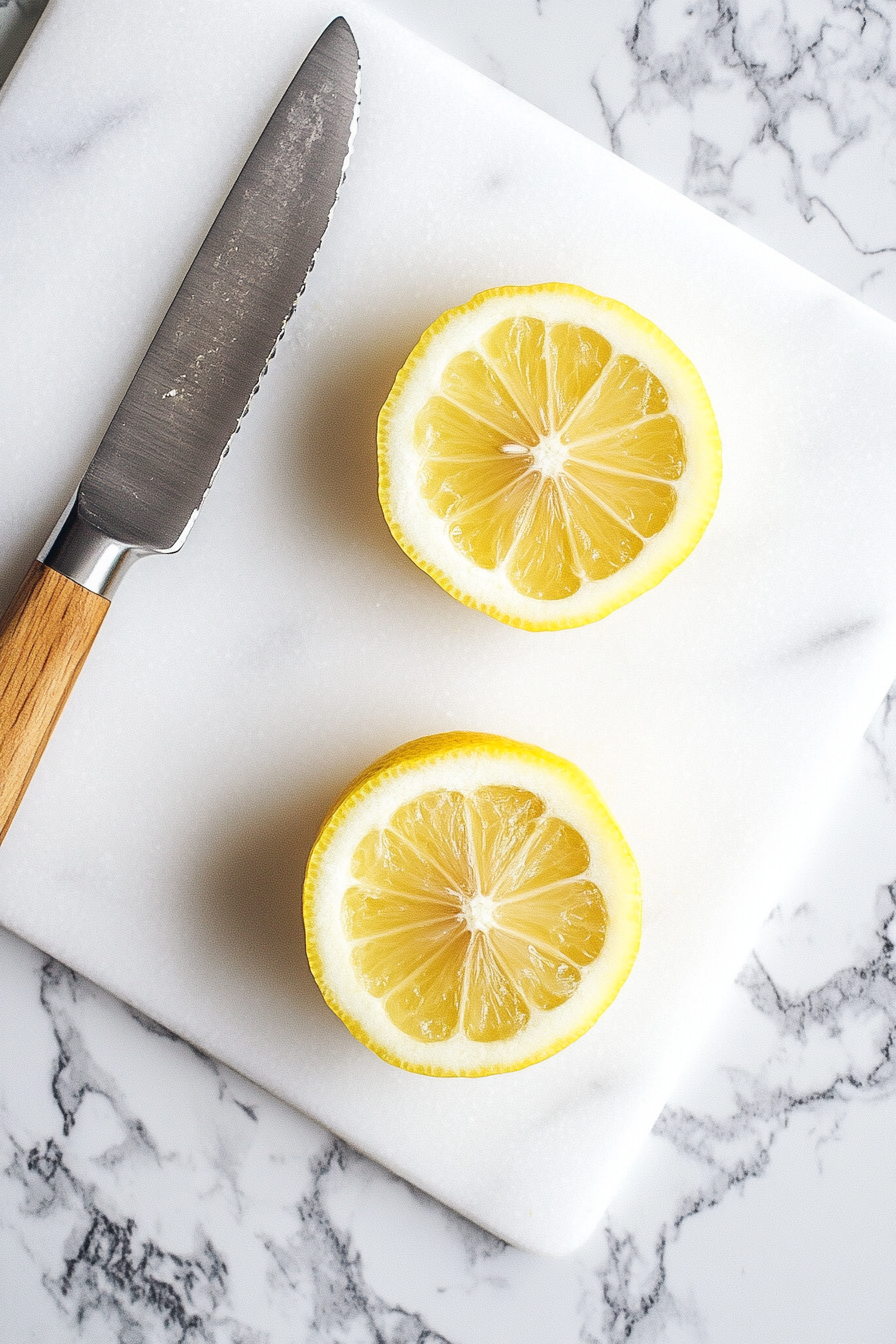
[(550, 454)]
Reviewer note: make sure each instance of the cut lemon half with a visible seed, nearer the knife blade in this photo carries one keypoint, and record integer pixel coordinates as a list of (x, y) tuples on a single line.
[(547, 455)]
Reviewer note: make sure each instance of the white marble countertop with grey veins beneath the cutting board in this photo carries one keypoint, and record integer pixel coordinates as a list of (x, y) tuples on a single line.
[(147, 1194)]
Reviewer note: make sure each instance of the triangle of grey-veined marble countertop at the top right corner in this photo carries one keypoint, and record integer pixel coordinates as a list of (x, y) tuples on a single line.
[(778, 115)]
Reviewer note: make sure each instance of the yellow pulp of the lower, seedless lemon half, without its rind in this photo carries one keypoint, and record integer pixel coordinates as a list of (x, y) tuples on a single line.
[(471, 911)]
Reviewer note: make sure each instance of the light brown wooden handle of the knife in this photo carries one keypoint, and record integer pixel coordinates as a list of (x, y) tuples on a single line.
[(45, 638)]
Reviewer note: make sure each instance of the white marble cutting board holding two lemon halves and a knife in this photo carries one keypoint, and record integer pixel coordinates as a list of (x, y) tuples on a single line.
[(237, 687)]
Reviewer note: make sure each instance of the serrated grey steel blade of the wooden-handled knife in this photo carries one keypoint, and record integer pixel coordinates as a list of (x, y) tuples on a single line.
[(159, 456)]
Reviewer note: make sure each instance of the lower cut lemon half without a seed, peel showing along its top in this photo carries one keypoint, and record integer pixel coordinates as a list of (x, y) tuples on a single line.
[(471, 907)]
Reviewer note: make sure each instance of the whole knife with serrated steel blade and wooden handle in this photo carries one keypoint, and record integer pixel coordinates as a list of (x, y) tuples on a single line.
[(159, 458)]
